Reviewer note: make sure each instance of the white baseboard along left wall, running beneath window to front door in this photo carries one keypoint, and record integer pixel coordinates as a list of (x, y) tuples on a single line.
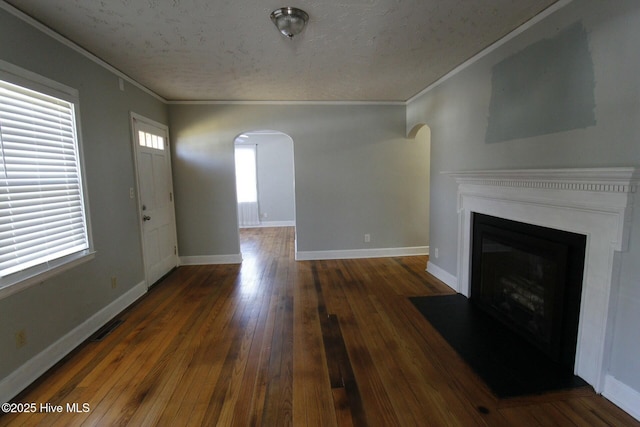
[(19, 379)]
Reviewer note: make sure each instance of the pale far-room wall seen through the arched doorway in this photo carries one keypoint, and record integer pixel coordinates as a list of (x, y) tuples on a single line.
[(275, 175)]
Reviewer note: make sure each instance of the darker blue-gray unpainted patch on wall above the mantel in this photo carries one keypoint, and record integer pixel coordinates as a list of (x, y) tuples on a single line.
[(546, 88)]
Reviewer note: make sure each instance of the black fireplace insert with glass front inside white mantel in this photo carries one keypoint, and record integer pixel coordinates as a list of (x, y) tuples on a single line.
[(529, 278)]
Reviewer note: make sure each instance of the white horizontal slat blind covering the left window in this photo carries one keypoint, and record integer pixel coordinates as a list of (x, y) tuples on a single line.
[(42, 215)]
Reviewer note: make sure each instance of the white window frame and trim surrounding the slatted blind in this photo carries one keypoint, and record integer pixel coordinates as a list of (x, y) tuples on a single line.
[(23, 279)]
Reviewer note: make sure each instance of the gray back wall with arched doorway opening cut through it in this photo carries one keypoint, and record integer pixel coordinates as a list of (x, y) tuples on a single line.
[(355, 173)]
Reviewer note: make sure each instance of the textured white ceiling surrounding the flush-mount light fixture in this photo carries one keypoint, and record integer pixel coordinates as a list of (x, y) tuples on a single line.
[(351, 50)]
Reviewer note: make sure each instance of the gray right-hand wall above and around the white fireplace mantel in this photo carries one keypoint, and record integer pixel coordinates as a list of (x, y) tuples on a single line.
[(459, 113)]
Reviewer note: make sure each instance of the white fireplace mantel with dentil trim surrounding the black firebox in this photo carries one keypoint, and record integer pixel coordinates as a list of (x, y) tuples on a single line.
[(594, 202)]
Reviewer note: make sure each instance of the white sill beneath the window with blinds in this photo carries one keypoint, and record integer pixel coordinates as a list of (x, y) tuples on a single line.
[(20, 281)]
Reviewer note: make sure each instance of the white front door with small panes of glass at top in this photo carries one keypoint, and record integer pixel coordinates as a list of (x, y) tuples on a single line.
[(155, 198)]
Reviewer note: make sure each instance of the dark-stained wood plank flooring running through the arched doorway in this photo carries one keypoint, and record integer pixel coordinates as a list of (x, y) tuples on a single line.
[(275, 342)]
